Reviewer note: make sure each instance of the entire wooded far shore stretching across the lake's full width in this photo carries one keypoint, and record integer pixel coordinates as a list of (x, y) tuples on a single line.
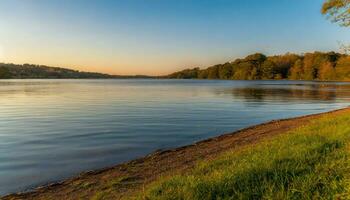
[(315, 66)]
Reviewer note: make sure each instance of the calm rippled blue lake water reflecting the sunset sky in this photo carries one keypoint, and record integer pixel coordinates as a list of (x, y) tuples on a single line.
[(53, 129)]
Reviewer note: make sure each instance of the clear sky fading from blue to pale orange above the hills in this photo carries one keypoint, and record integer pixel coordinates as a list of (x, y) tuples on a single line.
[(159, 36)]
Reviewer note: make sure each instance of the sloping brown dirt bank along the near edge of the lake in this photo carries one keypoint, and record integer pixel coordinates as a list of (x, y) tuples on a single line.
[(133, 178)]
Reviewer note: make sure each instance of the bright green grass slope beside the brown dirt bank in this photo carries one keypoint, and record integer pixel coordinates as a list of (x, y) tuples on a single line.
[(311, 162)]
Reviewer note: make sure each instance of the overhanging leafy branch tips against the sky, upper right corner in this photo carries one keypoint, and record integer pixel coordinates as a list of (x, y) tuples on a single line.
[(338, 11)]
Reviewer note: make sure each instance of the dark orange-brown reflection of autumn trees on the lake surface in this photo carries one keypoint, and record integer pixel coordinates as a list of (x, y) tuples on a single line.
[(292, 93)]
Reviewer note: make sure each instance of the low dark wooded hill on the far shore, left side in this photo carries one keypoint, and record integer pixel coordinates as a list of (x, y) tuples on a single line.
[(29, 71)]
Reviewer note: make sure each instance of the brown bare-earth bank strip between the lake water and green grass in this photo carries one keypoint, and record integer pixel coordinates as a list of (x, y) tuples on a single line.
[(161, 163)]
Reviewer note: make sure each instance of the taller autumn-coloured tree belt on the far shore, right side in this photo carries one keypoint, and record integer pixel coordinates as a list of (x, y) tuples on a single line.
[(310, 66)]
